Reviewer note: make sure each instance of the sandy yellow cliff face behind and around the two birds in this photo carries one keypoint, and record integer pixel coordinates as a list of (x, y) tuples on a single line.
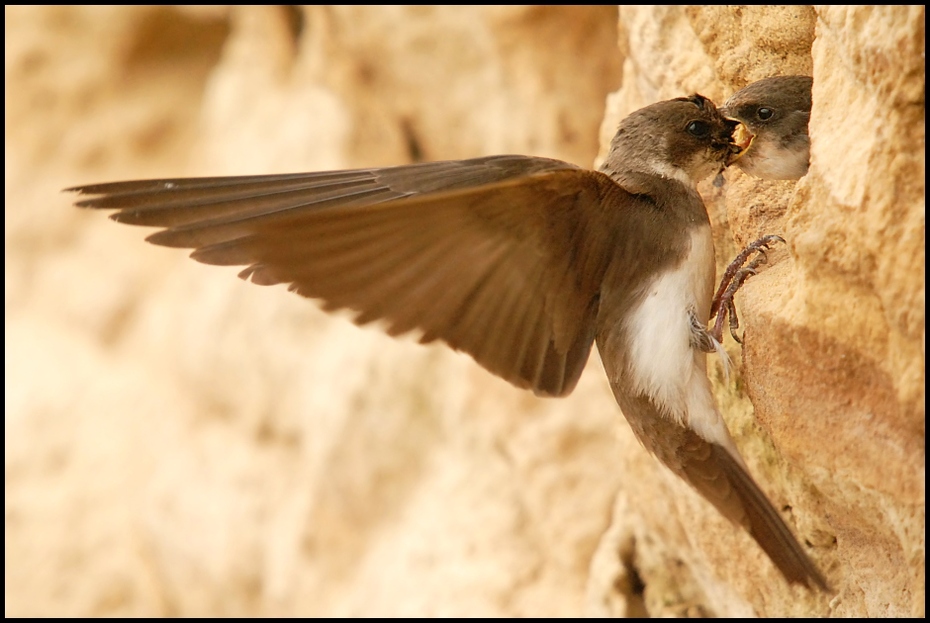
[(180, 442)]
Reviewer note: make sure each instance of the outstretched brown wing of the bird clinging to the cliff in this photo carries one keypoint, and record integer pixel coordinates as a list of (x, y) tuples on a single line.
[(500, 257)]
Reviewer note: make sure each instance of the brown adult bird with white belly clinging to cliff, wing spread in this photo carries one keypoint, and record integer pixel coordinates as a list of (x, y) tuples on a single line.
[(521, 262)]
